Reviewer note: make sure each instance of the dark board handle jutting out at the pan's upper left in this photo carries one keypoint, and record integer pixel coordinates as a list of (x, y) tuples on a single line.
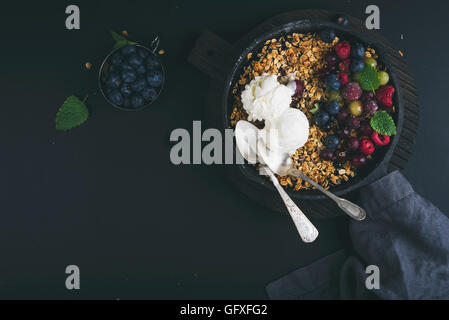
[(213, 56)]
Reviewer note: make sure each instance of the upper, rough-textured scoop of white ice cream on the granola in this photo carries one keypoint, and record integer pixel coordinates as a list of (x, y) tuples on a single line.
[(265, 98)]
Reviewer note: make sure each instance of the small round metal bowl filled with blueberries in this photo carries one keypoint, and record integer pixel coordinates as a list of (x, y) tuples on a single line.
[(132, 77)]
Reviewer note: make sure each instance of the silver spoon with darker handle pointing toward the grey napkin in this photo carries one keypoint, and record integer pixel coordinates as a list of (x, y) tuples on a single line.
[(284, 166)]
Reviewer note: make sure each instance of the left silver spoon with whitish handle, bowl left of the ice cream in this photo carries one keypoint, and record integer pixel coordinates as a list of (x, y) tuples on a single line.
[(246, 135)]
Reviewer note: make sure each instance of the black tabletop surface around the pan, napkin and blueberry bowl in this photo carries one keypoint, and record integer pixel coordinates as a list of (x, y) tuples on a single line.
[(106, 197)]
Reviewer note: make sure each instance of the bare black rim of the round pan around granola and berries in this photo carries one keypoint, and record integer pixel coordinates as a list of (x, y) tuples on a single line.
[(382, 156)]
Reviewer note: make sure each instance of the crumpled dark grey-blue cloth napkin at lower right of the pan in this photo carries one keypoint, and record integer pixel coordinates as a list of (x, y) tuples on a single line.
[(404, 235)]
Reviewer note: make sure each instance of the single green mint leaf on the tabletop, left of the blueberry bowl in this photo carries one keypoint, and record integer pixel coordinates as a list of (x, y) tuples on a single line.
[(72, 114)]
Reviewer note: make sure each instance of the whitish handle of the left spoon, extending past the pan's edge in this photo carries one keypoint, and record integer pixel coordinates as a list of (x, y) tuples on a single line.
[(306, 229)]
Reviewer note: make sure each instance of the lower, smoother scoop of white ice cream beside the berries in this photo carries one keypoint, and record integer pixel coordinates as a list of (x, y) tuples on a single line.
[(287, 133)]
